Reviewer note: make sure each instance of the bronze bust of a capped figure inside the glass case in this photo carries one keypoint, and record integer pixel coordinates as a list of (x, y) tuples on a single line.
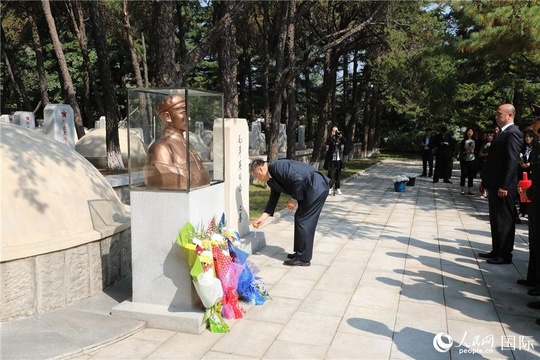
[(167, 162)]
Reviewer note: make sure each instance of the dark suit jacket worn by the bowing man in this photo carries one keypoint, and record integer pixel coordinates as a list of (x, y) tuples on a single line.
[(299, 180)]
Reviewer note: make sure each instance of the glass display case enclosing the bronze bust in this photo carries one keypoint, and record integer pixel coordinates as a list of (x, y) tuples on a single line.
[(182, 133)]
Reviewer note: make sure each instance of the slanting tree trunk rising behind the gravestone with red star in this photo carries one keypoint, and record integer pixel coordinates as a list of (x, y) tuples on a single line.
[(64, 70)]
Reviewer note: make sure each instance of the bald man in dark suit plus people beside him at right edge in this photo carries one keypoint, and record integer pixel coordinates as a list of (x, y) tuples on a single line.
[(510, 154)]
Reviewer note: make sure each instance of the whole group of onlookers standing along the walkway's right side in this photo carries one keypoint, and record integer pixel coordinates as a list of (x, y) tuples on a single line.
[(501, 157)]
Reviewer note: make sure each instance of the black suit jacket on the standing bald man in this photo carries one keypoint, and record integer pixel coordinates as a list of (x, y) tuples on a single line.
[(502, 164)]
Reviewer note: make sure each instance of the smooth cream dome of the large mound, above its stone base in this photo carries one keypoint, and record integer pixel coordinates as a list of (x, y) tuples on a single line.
[(52, 197)]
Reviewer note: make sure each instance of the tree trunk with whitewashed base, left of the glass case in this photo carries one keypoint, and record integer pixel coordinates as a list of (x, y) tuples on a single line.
[(114, 155)]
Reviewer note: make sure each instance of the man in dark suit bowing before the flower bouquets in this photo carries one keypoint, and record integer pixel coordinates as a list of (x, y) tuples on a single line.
[(306, 186)]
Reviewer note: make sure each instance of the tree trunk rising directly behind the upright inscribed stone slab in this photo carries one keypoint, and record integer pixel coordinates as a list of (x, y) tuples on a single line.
[(227, 59)]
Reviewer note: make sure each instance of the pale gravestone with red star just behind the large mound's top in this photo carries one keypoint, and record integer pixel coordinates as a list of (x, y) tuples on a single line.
[(59, 124)]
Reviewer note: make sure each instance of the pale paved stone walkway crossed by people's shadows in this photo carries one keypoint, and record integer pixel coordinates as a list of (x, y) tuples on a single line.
[(391, 272)]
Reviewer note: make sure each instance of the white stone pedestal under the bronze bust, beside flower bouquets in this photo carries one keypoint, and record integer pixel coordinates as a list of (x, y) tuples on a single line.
[(163, 294)]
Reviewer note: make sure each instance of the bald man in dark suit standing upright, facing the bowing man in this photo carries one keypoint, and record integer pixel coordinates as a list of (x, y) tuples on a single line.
[(500, 179)]
